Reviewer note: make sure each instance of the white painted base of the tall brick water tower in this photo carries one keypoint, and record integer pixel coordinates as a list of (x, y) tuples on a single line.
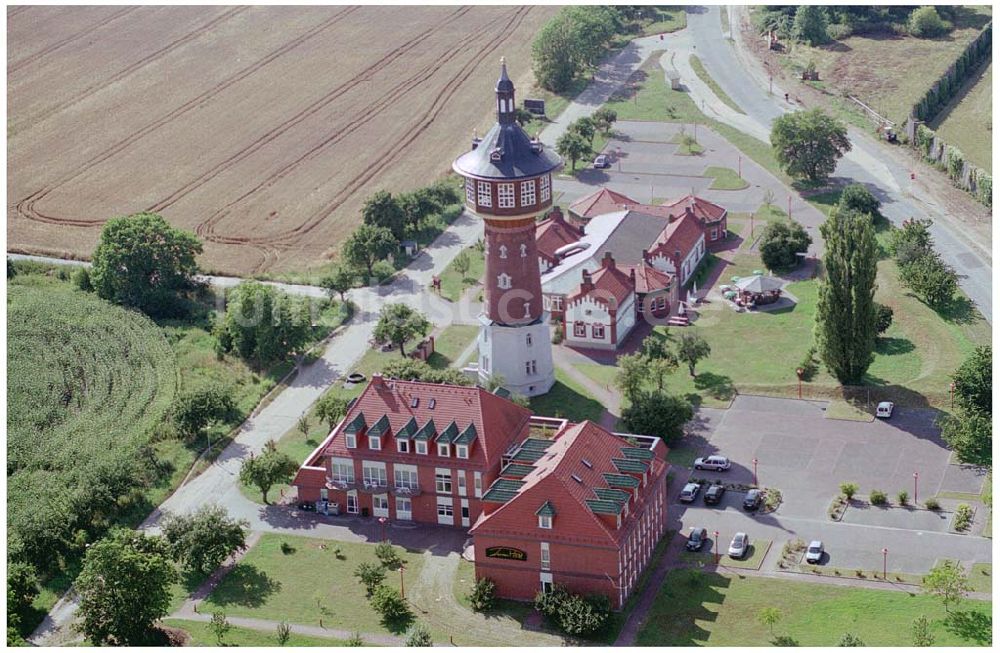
[(509, 351)]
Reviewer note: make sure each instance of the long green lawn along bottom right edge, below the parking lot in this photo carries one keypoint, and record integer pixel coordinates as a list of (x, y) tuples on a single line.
[(714, 609)]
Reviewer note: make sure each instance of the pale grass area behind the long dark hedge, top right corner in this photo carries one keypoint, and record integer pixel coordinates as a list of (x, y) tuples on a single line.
[(966, 123)]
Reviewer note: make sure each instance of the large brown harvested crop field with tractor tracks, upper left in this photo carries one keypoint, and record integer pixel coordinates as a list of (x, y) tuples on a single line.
[(260, 128)]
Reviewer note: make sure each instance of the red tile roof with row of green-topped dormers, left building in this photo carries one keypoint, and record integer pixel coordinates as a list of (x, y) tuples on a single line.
[(498, 422)]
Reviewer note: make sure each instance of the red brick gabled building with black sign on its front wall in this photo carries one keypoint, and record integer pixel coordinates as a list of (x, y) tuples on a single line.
[(583, 510)]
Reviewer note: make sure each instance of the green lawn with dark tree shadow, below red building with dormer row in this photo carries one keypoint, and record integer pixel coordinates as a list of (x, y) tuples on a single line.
[(305, 585)]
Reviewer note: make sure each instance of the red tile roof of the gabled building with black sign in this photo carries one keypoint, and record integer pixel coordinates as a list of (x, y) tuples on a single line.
[(566, 476)]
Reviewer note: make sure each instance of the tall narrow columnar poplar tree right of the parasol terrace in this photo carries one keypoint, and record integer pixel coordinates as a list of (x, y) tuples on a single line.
[(845, 313)]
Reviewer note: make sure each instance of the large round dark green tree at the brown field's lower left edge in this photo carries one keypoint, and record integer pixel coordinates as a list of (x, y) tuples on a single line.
[(142, 262)]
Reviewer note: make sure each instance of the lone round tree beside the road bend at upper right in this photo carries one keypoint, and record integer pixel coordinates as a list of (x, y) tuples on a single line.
[(809, 143)]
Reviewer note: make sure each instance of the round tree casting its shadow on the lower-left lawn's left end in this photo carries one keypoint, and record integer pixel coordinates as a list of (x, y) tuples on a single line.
[(202, 540)]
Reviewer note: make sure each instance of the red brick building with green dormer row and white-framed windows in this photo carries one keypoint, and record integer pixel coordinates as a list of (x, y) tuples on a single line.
[(416, 451)]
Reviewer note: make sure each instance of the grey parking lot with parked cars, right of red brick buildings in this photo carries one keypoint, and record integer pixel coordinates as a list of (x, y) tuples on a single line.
[(806, 457)]
